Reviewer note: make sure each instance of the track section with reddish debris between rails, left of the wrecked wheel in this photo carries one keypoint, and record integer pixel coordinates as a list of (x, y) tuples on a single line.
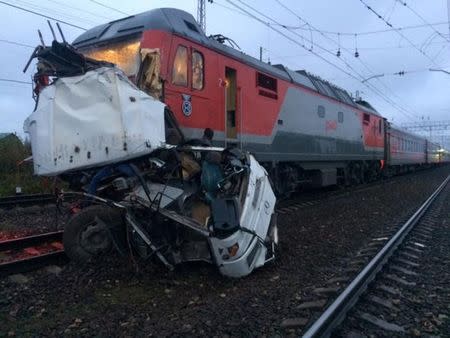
[(31, 253)]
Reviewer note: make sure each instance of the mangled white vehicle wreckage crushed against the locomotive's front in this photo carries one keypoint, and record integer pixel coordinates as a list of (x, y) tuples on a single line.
[(170, 202)]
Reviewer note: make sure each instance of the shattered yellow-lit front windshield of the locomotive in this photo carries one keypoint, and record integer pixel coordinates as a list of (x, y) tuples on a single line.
[(124, 54)]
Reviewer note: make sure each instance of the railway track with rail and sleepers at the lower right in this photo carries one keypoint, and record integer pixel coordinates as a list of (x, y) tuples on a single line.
[(397, 256)]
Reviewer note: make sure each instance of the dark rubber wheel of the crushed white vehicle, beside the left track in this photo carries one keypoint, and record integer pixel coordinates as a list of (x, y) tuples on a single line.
[(87, 236)]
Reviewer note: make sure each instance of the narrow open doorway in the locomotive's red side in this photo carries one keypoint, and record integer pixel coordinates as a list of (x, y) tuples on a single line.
[(230, 107)]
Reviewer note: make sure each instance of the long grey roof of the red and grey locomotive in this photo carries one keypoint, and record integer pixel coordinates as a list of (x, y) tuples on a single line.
[(182, 23)]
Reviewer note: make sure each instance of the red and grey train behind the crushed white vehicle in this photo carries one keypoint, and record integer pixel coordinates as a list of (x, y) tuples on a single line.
[(302, 128)]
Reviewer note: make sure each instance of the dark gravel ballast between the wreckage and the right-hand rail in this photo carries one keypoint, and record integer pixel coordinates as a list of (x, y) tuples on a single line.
[(111, 298)]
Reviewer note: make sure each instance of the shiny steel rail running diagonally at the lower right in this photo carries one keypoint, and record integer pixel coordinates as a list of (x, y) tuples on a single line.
[(336, 312)]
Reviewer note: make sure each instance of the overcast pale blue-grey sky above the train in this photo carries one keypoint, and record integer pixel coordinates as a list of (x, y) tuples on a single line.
[(417, 94)]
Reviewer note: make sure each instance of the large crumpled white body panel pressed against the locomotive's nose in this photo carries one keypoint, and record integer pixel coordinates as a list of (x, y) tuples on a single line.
[(91, 120)]
